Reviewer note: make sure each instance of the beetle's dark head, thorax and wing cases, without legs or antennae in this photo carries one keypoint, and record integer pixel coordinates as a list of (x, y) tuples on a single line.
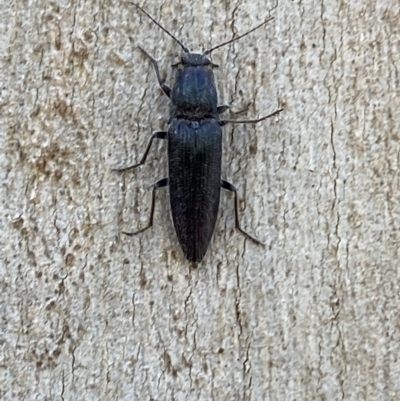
[(194, 155)]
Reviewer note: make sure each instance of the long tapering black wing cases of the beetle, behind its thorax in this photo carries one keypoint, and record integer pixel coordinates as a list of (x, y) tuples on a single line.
[(194, 160)]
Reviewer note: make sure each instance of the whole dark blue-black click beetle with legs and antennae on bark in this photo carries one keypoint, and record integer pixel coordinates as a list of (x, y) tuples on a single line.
[(194, 149)]
